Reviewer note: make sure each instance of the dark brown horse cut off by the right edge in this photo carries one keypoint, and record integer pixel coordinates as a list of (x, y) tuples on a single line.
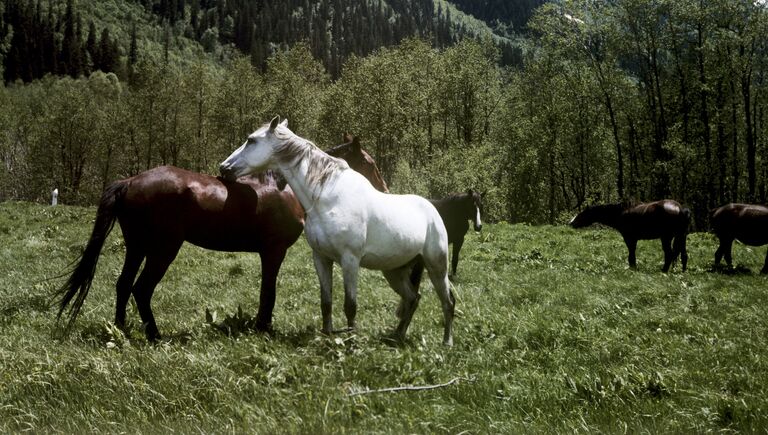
[(746, 223)]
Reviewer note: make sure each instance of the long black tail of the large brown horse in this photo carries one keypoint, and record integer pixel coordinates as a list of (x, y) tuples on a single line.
[(81, 277)]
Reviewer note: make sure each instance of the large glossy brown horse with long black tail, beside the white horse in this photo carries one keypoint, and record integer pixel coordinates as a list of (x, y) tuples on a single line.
[(161, 208)]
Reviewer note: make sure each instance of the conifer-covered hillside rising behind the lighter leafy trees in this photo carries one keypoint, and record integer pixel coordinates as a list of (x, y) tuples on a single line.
[(77, 37)]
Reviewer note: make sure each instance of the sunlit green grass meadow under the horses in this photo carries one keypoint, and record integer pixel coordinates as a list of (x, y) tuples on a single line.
[(553, 334)]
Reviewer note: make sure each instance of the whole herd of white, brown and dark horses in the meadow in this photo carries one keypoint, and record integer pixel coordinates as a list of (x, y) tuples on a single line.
[(348, 217)]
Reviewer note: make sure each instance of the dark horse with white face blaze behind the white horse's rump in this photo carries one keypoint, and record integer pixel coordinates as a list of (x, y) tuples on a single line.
[(457, 210)]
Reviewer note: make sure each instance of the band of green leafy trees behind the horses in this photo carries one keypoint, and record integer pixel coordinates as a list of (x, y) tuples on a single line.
[(627, 100)]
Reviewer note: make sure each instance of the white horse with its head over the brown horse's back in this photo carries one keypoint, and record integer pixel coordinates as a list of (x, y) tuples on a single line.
[(351, 223)]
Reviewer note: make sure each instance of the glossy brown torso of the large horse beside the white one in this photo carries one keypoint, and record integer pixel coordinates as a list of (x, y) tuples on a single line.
[(169, 203)]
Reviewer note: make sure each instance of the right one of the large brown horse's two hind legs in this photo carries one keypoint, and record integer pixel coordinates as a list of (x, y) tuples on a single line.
[(156, 265)]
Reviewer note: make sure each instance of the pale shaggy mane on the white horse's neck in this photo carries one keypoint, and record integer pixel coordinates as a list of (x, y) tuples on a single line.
[(293, 149)]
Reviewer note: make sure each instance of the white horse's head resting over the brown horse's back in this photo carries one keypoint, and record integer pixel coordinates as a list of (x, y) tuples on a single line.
[(256, 154)]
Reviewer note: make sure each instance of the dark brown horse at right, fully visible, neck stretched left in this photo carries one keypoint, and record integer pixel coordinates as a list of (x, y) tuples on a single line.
[(666, 220)]
